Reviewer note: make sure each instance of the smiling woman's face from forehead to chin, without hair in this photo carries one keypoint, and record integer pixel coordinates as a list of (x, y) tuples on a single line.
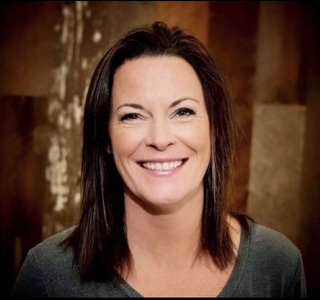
[(159, 129)]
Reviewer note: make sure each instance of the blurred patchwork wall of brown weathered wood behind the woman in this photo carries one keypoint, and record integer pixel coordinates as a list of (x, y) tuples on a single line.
[(269, 51)]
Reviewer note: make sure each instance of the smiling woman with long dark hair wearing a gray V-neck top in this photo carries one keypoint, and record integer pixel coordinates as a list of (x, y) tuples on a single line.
[(157, 214)]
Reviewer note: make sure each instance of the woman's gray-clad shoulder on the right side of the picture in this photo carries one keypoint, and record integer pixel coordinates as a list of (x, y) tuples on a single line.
[(269, 264)]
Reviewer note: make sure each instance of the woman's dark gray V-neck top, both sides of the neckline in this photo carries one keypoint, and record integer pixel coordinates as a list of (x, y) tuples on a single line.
[(268, 265)]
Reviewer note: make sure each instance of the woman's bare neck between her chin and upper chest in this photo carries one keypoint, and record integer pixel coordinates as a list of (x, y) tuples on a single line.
[(170, 234)]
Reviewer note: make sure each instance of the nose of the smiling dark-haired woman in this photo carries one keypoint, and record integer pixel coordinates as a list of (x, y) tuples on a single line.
[(160, 135)]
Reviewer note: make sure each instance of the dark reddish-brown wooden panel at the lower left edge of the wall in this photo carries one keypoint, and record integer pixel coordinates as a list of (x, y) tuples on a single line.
[(23, 187)]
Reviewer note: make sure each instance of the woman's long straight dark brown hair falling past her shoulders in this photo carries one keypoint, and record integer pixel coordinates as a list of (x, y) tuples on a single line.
[(99, 240)]
